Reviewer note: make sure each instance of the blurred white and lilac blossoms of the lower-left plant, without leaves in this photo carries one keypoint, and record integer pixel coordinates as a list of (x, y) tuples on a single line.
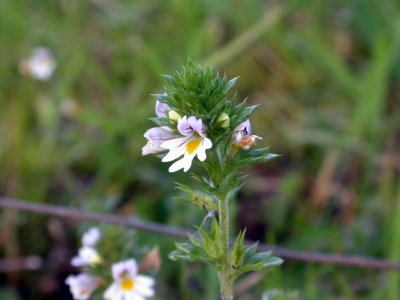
[(127, 283)]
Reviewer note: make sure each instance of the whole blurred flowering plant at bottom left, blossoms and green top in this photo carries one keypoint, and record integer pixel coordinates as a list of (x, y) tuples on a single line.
[(108, 270)]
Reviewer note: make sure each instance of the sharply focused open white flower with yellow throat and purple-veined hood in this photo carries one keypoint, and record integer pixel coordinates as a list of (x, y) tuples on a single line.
[(193, 143)]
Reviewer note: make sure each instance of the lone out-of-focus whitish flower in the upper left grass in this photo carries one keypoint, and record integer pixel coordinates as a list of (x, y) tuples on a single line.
[(40, 65)]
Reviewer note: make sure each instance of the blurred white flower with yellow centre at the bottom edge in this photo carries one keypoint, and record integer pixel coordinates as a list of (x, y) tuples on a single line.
[(128, 285)]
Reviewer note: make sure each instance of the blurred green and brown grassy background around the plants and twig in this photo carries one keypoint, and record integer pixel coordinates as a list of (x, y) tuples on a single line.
[(325, 75)]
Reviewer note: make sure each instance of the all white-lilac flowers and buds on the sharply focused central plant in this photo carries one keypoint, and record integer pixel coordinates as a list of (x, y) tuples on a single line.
[(192, 140)]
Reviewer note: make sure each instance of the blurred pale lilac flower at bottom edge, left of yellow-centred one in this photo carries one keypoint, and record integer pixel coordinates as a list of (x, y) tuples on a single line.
[(81, 286)]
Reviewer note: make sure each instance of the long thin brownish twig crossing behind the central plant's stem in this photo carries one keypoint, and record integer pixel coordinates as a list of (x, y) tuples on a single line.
[(305, 256)]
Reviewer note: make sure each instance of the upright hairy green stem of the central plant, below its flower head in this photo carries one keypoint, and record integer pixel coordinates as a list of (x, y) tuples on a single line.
[(223, 274)]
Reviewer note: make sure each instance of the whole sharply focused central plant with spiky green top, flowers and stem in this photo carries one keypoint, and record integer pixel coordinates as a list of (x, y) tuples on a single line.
[(197, 122)]
